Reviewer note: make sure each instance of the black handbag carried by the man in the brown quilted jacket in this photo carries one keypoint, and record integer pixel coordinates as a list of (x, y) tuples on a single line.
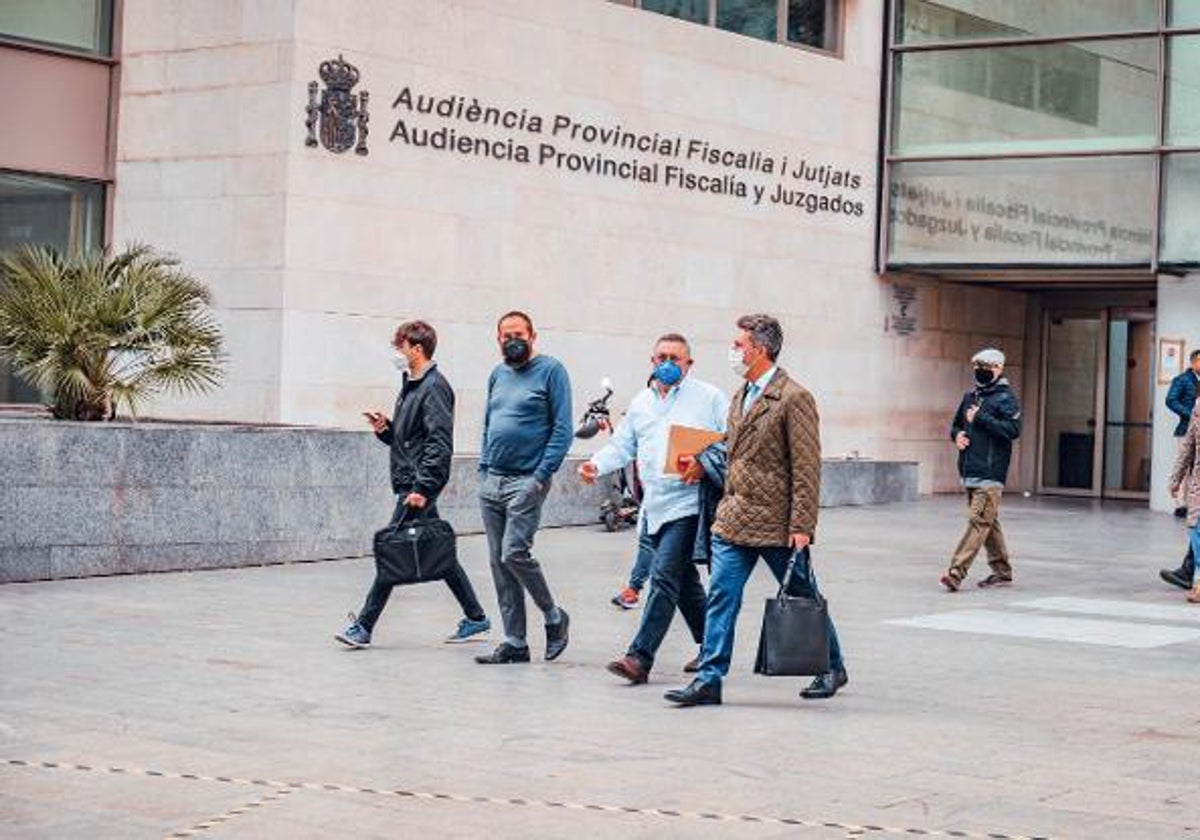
[(795, 639)]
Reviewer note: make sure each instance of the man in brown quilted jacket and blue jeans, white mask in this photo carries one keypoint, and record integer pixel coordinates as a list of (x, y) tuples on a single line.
[(770, 507)]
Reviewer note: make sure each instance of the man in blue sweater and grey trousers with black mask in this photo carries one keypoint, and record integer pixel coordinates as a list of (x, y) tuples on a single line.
[(527, 431)]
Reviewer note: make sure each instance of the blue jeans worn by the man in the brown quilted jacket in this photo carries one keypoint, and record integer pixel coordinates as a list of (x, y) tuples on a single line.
[(733, 566)]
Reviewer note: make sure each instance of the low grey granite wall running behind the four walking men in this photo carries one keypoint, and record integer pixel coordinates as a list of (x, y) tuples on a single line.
[(83, 500)]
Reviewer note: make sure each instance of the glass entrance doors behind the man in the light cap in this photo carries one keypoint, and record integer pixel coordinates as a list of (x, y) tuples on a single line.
[(1096, 409)]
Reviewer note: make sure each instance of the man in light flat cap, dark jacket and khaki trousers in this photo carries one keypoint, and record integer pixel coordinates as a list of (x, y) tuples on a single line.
[(988, 421)]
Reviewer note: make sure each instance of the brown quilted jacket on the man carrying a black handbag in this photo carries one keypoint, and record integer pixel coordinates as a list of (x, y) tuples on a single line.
[(773, 487)]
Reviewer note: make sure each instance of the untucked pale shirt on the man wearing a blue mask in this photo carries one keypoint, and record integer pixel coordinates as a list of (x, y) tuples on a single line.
[(644, 434)]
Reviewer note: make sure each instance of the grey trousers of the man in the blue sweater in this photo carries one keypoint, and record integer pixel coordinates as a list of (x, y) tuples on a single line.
[(512, 509)]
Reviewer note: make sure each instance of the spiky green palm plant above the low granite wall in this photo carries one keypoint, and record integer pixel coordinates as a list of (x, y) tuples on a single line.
[(101, 333)]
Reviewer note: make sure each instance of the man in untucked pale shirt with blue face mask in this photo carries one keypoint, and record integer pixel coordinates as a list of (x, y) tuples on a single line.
[(670, 507)]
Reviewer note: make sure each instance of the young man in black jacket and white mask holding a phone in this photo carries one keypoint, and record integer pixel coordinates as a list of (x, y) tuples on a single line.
[(422, 440)]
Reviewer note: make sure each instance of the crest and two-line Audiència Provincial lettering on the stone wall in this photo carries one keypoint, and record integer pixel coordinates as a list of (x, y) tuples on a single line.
[(475, 130)]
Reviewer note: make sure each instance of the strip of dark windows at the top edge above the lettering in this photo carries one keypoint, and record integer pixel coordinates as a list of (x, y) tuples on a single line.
[(805, 23)]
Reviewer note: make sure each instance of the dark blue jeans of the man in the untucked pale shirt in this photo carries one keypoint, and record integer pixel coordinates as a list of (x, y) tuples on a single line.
[(675, 583)]
